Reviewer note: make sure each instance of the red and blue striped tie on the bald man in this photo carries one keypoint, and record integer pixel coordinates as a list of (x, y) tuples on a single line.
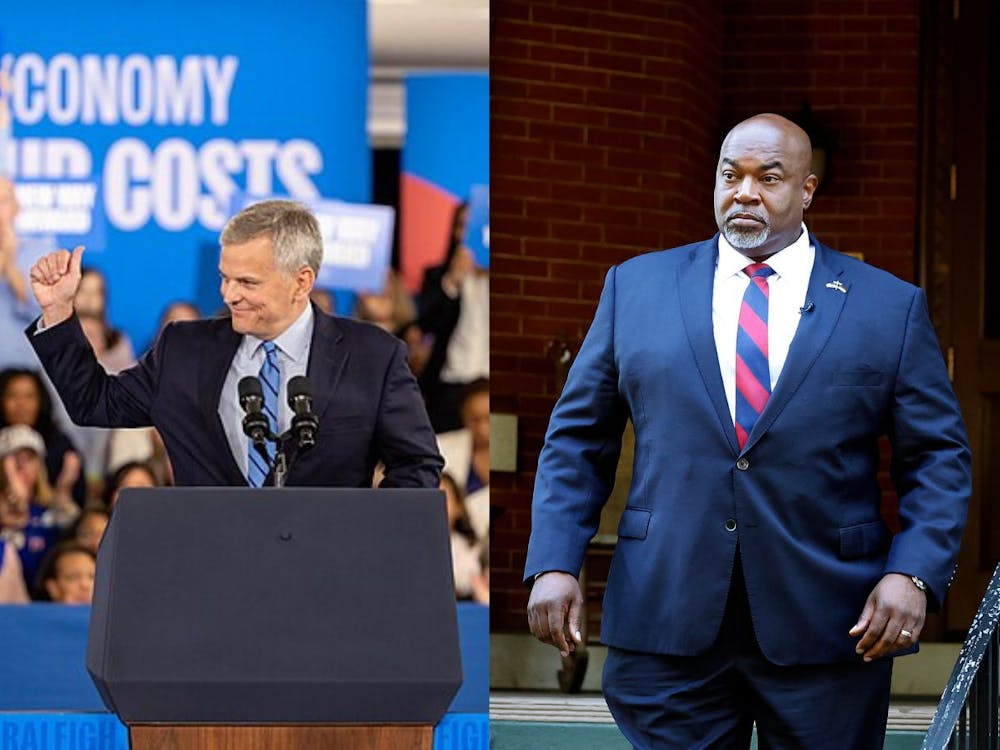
[(753, 377)]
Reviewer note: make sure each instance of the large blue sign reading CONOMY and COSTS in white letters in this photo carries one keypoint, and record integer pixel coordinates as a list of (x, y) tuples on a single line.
[(170, 113)]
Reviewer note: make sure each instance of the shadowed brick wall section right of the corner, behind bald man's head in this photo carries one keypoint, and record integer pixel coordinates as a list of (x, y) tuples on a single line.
[(858, 65)]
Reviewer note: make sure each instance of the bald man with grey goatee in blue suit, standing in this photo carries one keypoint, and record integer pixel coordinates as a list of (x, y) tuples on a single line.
[(754, 580)]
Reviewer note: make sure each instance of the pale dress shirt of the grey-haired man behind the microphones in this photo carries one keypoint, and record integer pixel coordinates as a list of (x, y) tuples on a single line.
[(293, 346)]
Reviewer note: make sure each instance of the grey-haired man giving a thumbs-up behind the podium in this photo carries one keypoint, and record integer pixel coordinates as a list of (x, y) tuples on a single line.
[(365, 397)]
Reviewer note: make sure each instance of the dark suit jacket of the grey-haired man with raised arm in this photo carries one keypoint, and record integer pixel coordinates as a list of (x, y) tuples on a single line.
[(367, 401)]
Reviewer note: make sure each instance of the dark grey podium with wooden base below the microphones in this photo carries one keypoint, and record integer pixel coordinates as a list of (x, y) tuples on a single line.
[(276, 618)]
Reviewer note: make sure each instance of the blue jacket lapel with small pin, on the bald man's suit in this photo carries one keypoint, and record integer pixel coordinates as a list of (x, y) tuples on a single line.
[(811, 336)]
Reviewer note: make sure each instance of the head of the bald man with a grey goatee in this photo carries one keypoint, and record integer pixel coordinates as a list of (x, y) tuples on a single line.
[(762, 188)]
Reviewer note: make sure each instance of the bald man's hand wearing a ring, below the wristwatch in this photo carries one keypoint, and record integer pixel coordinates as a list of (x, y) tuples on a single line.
[(894, 605)]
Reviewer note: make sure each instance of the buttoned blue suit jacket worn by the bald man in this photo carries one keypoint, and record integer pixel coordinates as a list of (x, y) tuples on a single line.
[(803, 492)]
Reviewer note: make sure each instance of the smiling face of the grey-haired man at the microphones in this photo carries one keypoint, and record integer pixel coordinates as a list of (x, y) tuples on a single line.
[(263, 299)]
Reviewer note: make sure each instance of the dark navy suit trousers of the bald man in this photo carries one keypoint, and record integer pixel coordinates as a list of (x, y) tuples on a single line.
[(713, 700)]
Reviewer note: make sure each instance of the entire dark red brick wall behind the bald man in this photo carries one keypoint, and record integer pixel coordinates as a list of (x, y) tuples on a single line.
[(606, 120)]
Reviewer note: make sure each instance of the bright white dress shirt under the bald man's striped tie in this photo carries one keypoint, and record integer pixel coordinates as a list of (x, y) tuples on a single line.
[(788, 286)]
